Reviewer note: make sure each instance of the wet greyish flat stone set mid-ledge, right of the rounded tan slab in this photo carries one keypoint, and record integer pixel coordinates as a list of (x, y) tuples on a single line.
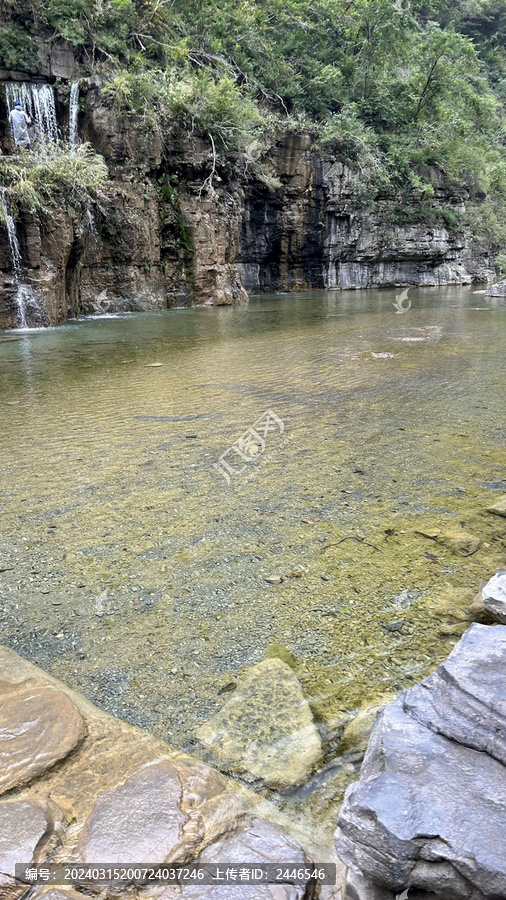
[(139, 821)]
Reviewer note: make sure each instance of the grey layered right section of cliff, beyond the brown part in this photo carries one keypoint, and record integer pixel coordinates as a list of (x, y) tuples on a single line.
[(315, 232)]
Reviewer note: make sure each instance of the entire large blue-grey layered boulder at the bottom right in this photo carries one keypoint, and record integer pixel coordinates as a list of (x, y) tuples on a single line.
[(428, 813)]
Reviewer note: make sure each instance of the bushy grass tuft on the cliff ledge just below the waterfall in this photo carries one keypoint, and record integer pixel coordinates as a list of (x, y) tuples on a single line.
[(36, 182)]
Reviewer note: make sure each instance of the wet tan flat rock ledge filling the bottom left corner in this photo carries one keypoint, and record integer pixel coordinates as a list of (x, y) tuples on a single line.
[(83, 787)]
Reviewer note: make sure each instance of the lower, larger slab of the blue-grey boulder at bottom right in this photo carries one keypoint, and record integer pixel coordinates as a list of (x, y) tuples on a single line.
[(426, 812)]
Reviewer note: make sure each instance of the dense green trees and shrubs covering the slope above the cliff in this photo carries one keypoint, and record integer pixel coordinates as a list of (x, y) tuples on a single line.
[(399, 88)]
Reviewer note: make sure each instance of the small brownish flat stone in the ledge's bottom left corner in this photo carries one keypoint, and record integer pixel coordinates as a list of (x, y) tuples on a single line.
[(25, 828)]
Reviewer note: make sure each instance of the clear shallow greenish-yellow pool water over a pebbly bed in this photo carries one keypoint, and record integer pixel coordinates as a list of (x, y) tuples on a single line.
[(391, 423)]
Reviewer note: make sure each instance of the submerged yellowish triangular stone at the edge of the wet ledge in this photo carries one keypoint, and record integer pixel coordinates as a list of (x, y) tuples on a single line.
[(266, 729)]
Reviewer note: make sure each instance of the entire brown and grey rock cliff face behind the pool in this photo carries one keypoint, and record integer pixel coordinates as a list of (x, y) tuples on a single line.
[(158, 239)]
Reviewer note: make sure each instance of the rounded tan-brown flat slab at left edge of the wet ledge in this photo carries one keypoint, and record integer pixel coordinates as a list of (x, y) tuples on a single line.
[(39, 725)]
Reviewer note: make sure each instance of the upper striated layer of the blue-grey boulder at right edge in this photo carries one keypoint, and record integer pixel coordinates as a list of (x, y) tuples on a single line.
[(465, 698)]
